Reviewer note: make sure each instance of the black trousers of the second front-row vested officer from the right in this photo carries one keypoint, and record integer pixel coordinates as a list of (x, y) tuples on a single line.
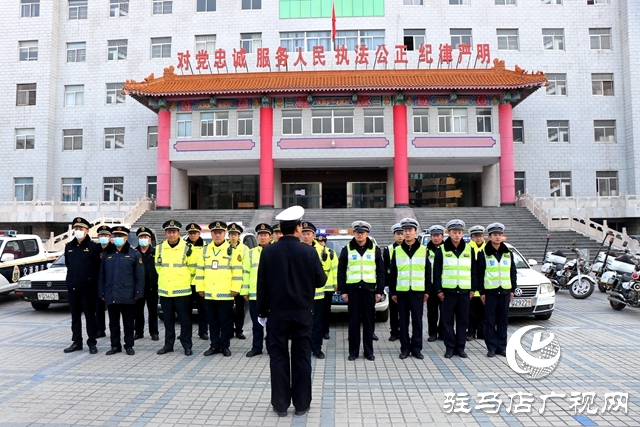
[(455, 308)]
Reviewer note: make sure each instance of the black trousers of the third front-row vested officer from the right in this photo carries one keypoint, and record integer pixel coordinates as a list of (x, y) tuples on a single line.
[(410, 308)]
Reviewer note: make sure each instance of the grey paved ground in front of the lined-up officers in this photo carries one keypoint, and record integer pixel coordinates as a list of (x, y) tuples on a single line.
[(39, 385)]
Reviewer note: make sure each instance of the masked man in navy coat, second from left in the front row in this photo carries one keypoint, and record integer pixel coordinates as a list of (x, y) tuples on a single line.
[(121, 284)]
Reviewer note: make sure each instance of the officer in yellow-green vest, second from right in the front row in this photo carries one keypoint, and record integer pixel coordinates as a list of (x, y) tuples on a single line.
[(454, 280)]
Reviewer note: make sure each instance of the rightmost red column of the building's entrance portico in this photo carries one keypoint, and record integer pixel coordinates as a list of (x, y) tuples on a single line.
[(507, 178)]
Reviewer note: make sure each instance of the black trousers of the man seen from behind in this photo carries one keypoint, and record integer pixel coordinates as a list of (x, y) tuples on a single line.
[(290, 375)]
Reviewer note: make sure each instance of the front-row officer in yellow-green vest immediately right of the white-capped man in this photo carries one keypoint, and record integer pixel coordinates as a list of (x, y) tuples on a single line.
[(361, 275)]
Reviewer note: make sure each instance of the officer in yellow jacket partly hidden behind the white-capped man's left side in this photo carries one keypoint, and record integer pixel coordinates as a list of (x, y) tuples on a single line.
[(249, 285)]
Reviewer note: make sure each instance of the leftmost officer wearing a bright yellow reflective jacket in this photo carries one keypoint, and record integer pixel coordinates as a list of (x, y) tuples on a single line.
[(174, 287)]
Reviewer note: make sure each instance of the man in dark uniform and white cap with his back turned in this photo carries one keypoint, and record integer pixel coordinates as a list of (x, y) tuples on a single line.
[(288, 275)]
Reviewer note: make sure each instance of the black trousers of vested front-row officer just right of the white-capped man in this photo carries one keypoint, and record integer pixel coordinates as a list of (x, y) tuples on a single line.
[(361, 306)]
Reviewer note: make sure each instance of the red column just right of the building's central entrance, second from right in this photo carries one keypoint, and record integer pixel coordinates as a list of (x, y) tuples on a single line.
[(400, 160)]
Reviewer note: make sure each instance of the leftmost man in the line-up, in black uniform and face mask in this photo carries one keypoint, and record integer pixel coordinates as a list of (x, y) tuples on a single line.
[(82, 258)]
